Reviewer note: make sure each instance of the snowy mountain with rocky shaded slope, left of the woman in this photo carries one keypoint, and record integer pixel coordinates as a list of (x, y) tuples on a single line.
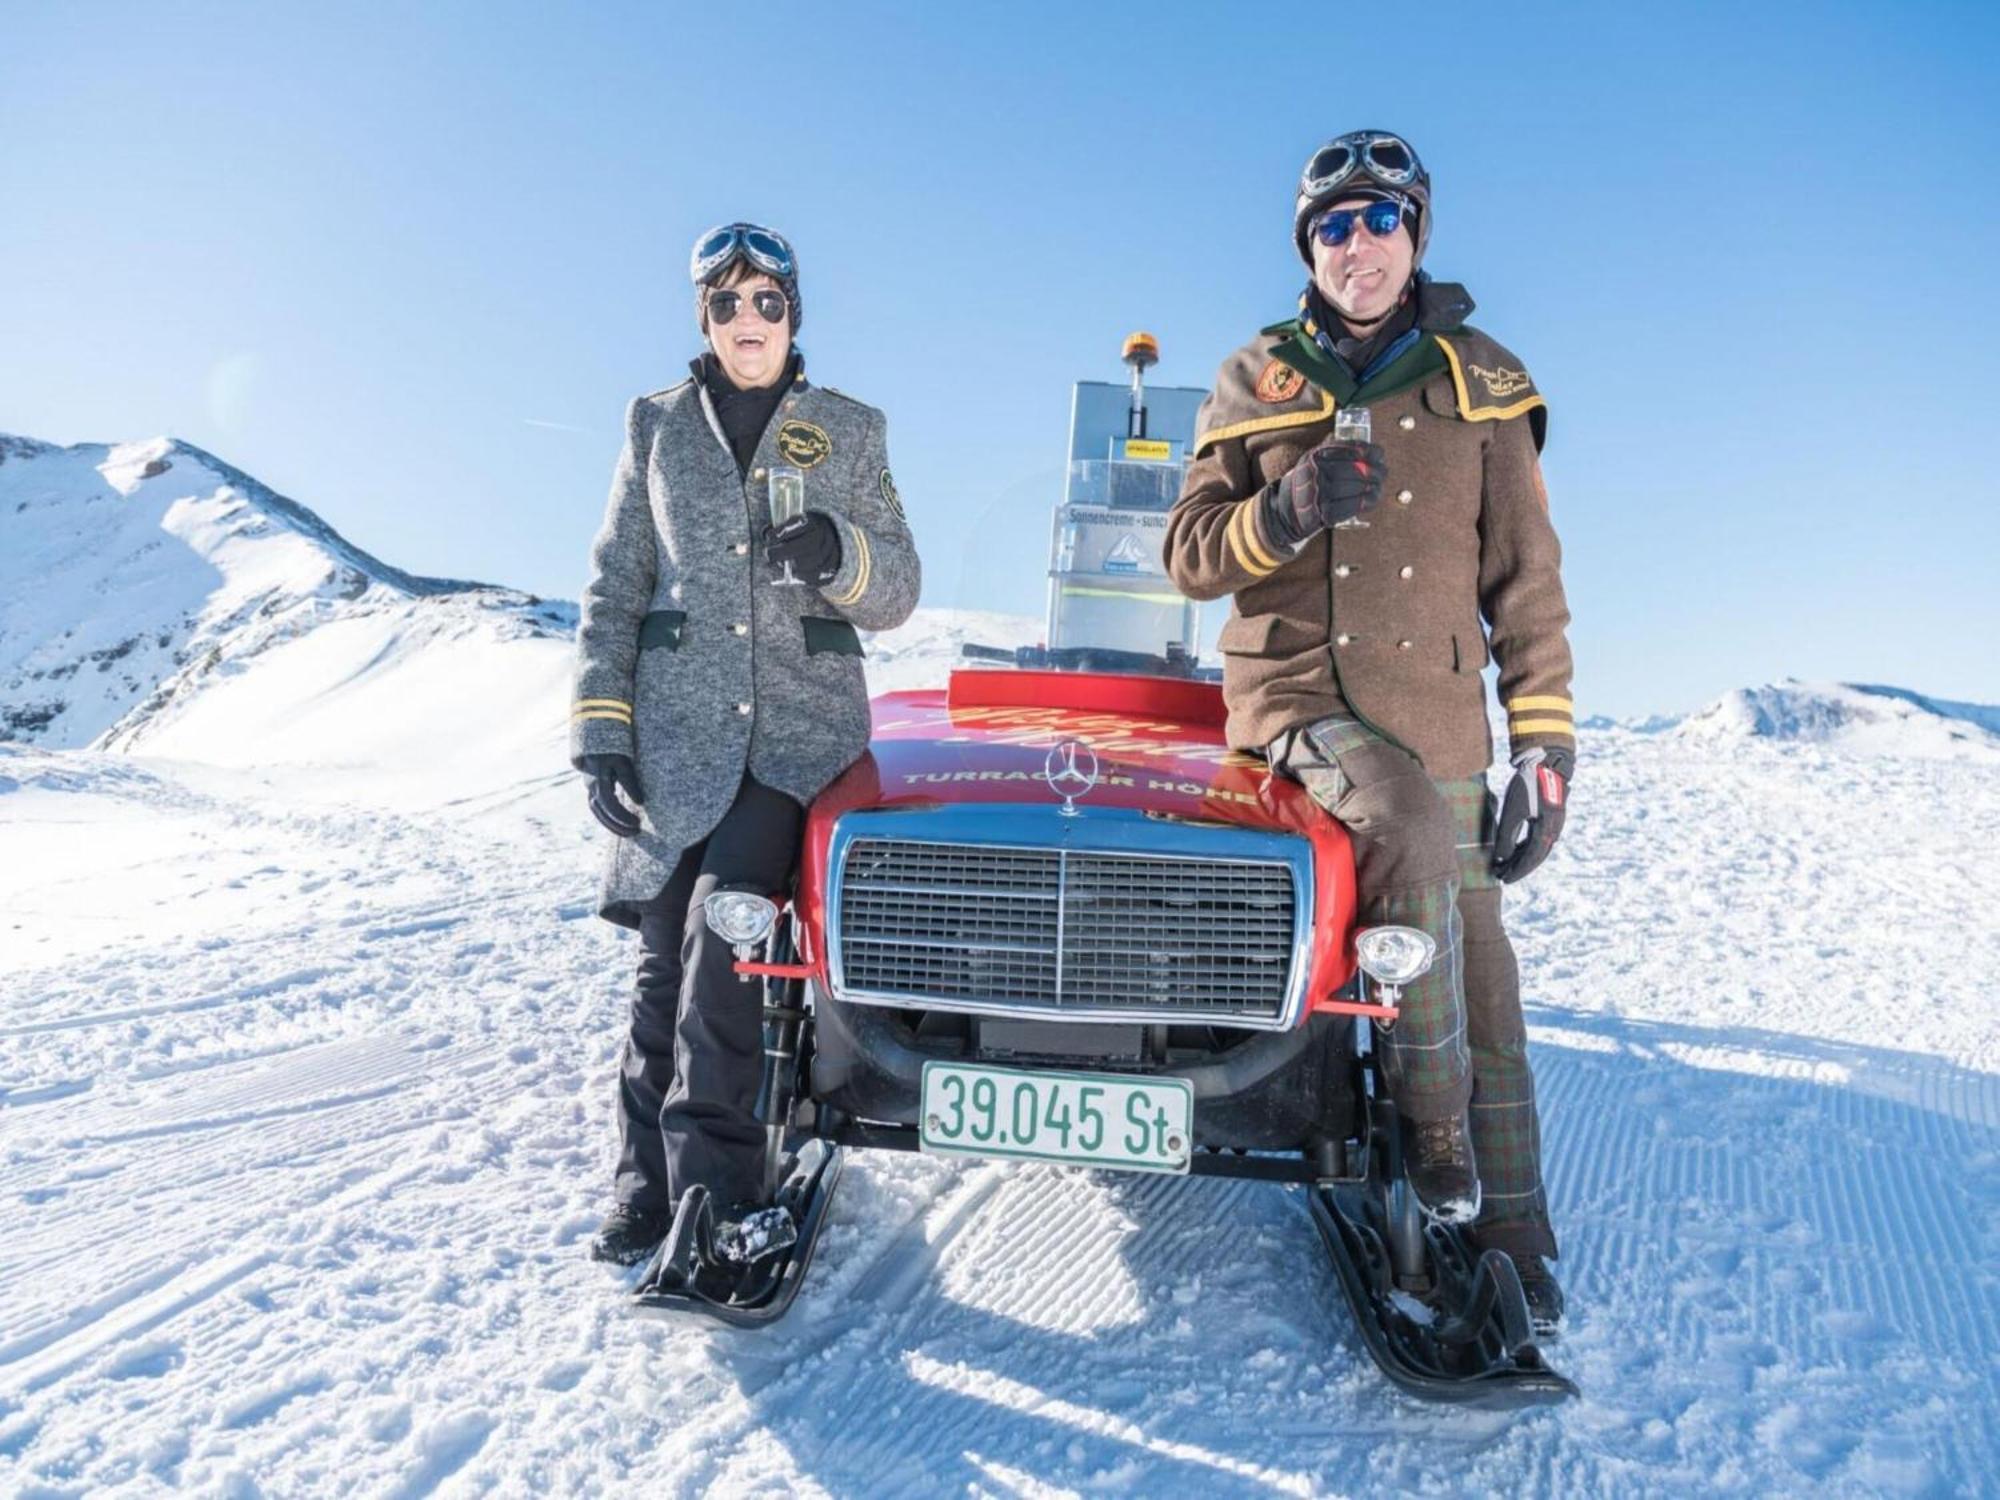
[(141, 579)]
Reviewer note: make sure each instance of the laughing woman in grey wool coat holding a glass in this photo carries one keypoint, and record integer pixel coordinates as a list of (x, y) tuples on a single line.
[(719, 701)]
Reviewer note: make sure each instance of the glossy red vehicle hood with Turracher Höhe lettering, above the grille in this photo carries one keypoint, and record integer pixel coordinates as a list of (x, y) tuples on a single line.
[(1159, 747)]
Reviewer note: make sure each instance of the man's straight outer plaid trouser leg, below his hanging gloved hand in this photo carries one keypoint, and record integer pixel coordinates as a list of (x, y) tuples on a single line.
[(1507, 1133)]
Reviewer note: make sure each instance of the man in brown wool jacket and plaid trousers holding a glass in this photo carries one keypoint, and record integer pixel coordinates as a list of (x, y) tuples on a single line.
[(1369, 583)]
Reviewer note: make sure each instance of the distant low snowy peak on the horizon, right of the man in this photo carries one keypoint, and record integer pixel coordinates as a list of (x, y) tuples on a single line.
[(1851, 717)]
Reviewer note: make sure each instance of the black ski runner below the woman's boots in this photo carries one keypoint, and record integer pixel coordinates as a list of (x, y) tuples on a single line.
[(687, 1275)]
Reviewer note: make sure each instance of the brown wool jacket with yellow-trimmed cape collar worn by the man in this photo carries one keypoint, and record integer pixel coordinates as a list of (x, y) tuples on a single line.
[(1397, 619)]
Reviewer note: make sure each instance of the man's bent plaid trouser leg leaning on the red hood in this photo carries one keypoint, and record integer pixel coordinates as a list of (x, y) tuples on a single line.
[(1407, 873)]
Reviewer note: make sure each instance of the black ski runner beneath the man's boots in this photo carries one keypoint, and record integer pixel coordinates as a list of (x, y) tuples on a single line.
[(1469, 1341)]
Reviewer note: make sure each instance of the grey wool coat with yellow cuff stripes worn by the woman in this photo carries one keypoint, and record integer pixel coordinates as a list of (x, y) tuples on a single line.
[(691, 659)]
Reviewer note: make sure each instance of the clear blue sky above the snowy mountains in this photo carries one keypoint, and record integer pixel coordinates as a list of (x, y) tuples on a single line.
[(409, 263)]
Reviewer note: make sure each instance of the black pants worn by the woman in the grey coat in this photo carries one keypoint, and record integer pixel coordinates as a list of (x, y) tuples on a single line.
[(695, 1057)]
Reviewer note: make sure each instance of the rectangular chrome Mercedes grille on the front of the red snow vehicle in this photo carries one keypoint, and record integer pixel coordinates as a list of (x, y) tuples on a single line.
[(1065, 931)]
